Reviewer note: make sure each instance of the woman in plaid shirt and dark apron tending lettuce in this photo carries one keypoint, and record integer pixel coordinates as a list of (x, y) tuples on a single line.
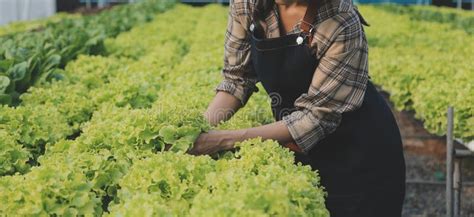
[(311, 57)]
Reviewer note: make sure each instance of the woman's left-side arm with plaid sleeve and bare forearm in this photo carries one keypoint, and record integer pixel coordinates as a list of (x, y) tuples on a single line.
[(239, 77)]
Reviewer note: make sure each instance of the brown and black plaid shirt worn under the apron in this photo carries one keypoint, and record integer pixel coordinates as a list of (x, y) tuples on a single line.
[(339, 81)]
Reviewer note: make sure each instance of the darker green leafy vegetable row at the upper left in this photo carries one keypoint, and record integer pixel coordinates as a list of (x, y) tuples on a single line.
[(32, 57)]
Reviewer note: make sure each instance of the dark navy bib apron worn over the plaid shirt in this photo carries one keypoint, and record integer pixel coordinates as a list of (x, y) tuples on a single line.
[(361, 164)]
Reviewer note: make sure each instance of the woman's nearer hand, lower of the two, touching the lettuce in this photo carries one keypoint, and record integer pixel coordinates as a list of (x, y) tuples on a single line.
[(213, 141)]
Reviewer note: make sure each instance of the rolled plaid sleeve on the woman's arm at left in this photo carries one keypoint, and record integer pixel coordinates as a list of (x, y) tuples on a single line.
[(239, 77)]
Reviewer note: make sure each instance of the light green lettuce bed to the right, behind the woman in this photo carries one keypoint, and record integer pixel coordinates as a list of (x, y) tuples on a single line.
[(425, 66)]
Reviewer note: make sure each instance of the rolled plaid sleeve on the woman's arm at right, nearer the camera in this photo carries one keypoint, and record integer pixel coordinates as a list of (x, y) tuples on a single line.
[(338, 84)]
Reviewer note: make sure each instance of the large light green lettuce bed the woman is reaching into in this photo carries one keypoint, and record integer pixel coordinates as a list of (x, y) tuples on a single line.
[(93, 143)]
